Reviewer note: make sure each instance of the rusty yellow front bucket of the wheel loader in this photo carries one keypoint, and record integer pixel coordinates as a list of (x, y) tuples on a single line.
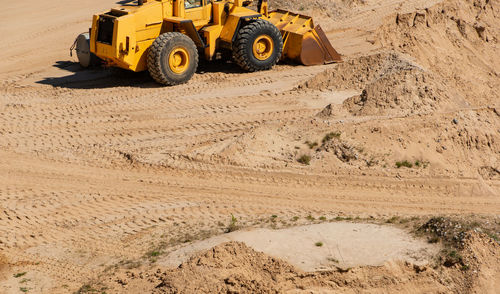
[(302, 41)]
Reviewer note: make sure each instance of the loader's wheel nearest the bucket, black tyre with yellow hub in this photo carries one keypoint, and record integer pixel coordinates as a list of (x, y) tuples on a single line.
[(258, 46)]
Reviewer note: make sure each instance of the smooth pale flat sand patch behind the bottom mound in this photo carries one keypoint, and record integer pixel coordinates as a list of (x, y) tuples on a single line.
[(343, 244)]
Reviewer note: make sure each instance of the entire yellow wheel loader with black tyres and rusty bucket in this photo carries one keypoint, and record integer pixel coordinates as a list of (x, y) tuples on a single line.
[(166, 37)]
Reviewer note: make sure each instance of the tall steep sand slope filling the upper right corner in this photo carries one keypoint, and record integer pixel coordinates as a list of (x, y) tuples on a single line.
[(457, 39)]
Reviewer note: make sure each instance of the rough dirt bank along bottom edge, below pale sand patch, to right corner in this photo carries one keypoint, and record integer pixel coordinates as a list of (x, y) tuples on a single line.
[(235, 268)]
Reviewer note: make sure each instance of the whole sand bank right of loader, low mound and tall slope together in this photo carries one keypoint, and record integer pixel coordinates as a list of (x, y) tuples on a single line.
[(450, 61)]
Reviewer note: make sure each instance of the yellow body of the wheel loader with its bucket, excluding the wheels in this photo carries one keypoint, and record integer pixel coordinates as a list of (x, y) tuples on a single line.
[(122, 36)]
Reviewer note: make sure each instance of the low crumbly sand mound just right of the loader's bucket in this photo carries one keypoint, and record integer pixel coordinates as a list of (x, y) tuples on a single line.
[(390, 85)]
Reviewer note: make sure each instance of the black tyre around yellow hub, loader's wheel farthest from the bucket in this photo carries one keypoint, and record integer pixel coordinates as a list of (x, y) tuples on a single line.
[(158, 58)]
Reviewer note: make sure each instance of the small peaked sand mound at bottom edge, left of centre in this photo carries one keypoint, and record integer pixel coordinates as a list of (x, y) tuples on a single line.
[(229, 268)]
